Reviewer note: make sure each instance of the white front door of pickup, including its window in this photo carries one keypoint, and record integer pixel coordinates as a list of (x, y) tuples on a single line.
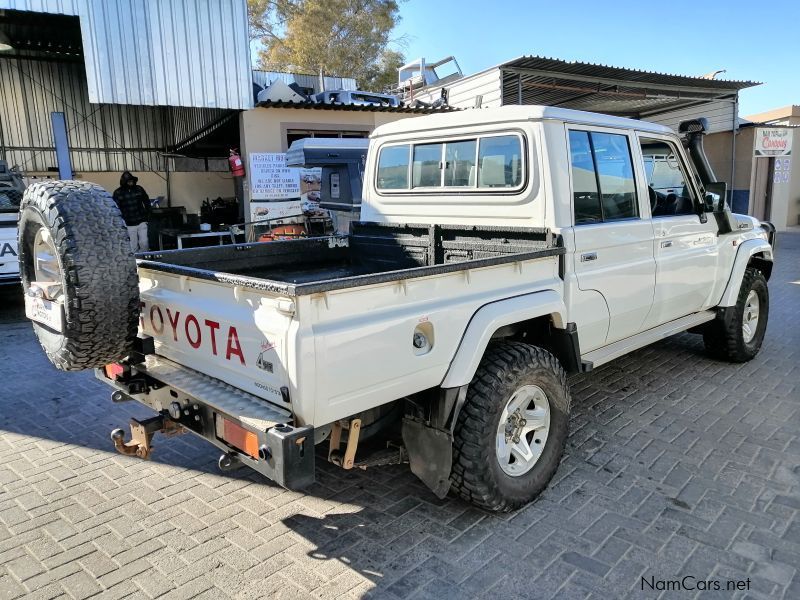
[(686, 248)]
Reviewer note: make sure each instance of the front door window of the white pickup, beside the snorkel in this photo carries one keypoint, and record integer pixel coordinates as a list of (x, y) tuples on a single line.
[(667, 183)]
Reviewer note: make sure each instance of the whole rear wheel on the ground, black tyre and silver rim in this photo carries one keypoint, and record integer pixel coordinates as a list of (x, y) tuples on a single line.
[(511, 432)]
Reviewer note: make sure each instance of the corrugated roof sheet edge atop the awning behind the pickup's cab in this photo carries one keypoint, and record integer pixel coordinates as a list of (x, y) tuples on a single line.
[(554, 65)]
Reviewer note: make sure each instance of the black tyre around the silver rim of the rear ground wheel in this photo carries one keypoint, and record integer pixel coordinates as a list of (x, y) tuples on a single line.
[(476, 474)]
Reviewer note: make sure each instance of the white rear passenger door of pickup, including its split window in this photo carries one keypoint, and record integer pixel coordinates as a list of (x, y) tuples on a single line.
[(613, 257)]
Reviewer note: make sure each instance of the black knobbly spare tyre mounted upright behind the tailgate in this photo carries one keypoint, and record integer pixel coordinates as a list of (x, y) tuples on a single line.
[(97, 270)]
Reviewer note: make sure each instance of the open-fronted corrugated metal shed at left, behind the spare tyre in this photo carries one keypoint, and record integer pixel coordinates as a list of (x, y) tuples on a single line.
[(141, 101)]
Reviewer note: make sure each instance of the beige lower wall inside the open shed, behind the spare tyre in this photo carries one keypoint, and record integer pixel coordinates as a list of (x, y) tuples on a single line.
[(187, 189)]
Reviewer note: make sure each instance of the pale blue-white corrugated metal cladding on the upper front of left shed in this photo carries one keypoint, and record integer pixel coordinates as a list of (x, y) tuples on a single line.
[(192, 53)]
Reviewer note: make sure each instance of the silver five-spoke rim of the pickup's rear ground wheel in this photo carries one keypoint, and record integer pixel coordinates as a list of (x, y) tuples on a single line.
[(523, 430)]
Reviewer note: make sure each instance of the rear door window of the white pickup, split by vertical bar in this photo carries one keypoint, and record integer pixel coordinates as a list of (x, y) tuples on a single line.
[(602, 177)]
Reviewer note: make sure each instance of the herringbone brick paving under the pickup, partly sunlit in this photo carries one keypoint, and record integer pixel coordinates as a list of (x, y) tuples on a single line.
[(677, 465)]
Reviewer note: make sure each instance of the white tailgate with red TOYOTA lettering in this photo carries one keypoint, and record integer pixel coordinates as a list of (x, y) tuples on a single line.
[(234, 334)]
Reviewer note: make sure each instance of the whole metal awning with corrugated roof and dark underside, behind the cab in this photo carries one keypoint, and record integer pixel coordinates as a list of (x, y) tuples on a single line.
[(607, 89)]
